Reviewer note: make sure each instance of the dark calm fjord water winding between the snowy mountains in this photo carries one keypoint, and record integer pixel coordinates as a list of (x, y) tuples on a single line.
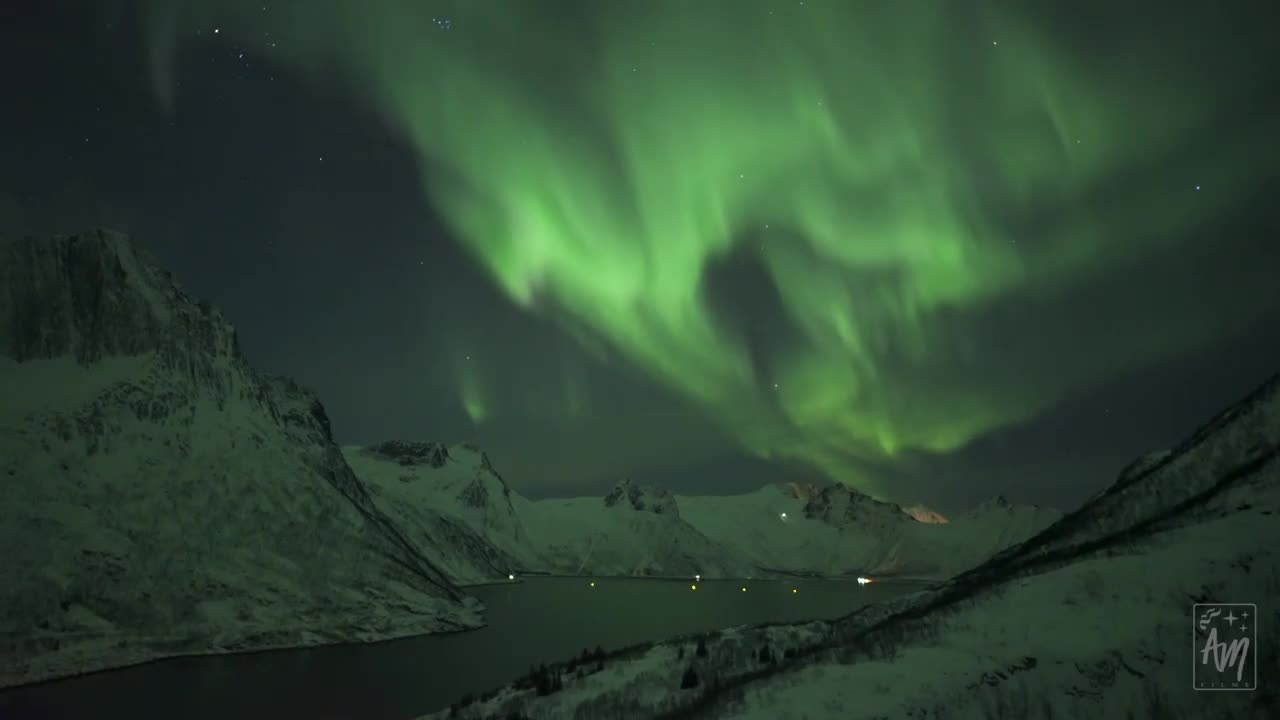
[(531, 622)]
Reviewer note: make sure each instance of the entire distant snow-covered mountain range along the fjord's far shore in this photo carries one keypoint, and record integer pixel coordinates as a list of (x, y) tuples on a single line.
[(450, 499)]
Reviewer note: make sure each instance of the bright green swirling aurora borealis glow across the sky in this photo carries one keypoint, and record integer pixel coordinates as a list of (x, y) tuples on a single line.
[(843, 236)]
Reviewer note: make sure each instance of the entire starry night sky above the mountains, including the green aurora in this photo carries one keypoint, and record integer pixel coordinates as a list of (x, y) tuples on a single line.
[(936, 250)]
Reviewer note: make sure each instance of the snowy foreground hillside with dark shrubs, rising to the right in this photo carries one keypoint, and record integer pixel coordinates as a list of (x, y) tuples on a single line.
[(1089, 619)]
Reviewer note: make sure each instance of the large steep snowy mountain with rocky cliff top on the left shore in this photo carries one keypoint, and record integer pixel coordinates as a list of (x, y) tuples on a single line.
[(158, 496)]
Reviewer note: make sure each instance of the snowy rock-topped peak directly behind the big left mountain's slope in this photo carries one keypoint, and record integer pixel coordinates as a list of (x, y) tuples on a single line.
[(452, 502)]
